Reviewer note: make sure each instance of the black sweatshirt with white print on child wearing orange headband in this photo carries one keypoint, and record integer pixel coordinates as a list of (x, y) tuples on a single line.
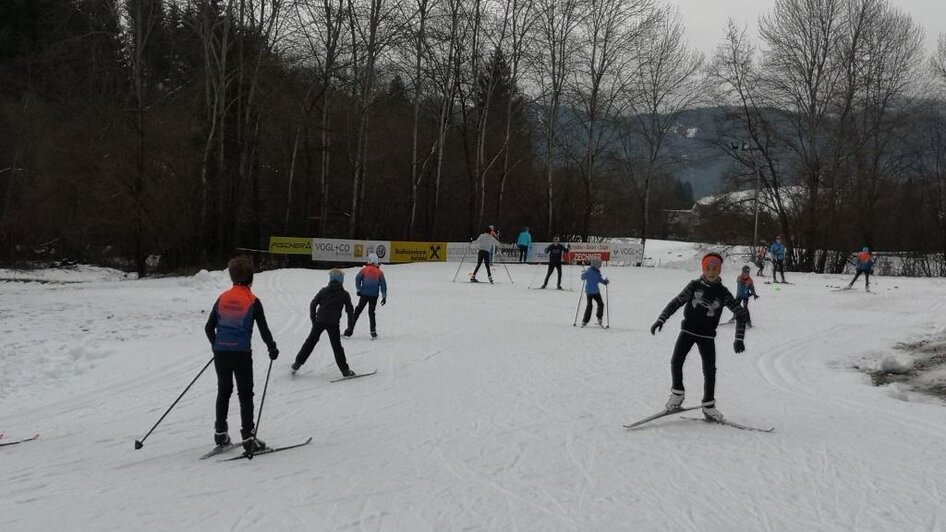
[(704, 304)]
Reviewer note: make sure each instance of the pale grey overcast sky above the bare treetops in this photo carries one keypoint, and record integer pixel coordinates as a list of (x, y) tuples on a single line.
[(706, 19)]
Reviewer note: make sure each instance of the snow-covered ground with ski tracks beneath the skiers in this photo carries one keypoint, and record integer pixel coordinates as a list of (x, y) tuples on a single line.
[(489, 410)]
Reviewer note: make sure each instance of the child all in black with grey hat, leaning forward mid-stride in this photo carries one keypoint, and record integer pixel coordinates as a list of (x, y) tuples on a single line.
[(325, 311)]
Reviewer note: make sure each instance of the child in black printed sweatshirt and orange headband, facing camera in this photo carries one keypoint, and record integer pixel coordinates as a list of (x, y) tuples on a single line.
[(704, 299)]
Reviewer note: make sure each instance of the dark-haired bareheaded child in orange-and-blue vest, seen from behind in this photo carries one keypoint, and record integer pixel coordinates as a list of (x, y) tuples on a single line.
[(230, 330)]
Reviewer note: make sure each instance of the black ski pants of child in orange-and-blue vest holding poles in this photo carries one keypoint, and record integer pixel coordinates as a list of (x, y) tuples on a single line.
[(230, 365)]
